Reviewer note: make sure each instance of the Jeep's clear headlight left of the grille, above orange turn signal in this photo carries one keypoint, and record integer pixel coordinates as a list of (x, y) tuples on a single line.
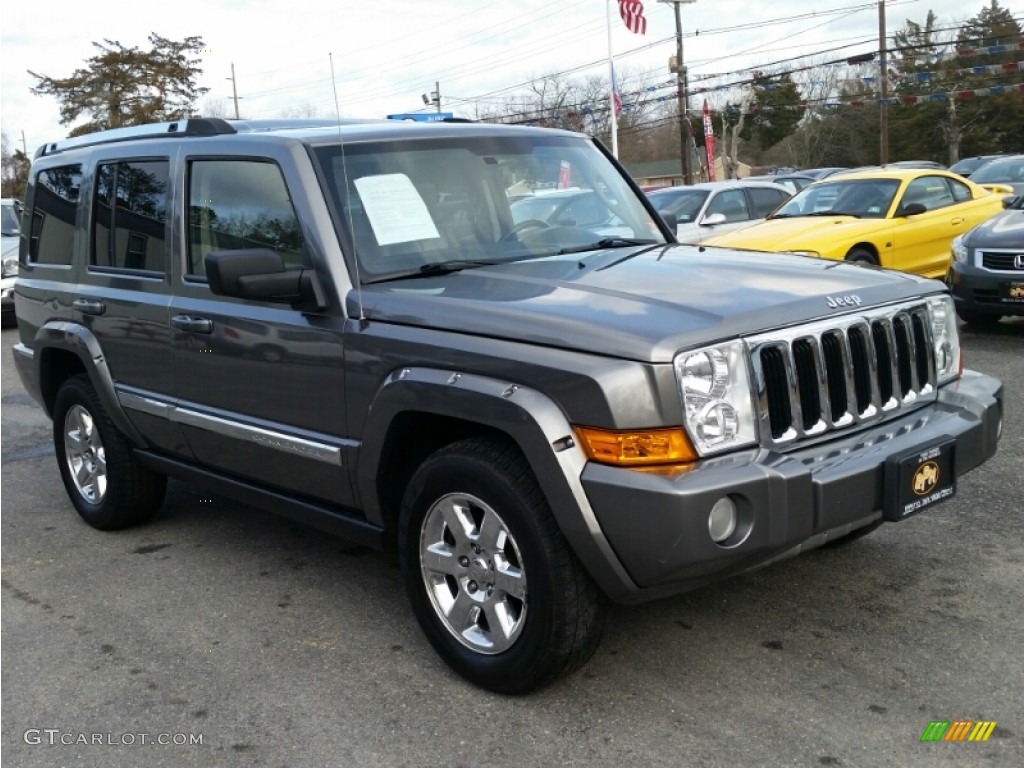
[(715, 389)]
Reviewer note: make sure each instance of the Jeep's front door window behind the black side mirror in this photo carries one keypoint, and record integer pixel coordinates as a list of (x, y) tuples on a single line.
[(237, 204)]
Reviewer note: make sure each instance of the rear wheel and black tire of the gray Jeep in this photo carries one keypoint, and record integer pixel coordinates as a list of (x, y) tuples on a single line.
[(109, 488)]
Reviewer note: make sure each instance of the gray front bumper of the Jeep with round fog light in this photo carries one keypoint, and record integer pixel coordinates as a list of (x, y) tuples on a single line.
[(789, 502)]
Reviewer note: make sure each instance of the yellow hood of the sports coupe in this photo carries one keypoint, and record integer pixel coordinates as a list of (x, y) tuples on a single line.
[(801, 233)]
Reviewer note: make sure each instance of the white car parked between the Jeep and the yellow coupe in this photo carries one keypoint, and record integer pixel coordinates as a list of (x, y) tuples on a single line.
[(716, 207)]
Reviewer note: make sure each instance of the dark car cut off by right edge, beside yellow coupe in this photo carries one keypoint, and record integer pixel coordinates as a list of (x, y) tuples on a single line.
[(987, 275)]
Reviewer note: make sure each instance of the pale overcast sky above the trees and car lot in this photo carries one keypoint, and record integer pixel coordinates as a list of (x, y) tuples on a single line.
[(389, 53)]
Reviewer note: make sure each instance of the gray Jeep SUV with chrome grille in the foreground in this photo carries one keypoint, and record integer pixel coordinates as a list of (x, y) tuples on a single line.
[(345, 325)]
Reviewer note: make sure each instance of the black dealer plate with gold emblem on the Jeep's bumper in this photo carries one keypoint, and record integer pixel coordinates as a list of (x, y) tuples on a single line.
[(918, 480)]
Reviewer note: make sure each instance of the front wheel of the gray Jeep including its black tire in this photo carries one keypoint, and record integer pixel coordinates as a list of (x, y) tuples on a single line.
[(553, 628)]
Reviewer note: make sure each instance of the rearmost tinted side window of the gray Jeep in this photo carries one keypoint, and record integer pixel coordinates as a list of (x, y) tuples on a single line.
[(53, 237)]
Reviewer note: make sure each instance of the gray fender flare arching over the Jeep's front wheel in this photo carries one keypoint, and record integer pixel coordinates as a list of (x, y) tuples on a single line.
[(532, 419)]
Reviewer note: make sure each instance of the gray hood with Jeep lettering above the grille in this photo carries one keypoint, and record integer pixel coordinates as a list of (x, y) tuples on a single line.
[(636, 304)]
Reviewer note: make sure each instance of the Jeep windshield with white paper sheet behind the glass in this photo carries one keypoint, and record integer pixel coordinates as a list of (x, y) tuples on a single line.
[(426, 203)]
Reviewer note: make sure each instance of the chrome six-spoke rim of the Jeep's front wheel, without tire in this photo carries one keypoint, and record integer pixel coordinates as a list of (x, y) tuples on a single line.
[(474, 573)]
